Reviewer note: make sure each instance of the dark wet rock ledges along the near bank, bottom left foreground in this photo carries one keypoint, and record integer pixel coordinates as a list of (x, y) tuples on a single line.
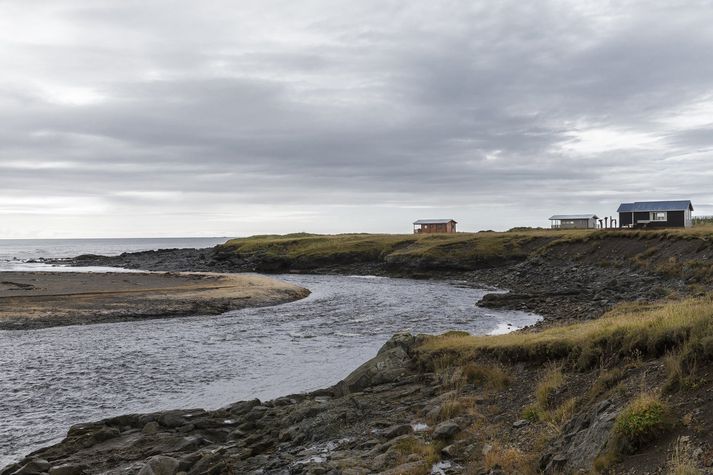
[(355, 427)]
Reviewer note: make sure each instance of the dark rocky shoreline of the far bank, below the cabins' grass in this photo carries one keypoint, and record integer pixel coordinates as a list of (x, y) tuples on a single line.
[(559, 288)]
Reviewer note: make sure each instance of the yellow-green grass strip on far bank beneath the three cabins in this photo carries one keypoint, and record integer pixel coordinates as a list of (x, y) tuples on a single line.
[(454, 250)]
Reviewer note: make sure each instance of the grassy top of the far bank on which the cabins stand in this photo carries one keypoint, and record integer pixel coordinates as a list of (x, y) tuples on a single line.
[(668, 251)]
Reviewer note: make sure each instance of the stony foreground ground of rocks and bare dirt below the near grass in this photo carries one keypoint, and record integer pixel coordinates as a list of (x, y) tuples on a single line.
[(389, 417)]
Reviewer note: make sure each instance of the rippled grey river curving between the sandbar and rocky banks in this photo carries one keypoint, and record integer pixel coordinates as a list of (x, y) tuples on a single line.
[(55, 377)]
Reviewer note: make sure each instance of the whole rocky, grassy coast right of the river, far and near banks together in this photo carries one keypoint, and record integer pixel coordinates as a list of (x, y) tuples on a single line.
[(617, 379)]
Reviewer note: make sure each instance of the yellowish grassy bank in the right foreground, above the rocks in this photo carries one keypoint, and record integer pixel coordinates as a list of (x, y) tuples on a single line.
[(649, 362)]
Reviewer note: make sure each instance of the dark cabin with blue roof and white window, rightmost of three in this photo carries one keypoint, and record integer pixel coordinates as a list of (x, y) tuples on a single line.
[(656, 214)]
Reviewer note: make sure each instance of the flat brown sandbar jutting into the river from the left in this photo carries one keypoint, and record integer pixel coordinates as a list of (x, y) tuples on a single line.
[(42, 299)]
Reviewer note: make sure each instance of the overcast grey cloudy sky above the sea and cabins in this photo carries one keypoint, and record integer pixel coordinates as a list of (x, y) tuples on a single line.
[(184, 118)]
